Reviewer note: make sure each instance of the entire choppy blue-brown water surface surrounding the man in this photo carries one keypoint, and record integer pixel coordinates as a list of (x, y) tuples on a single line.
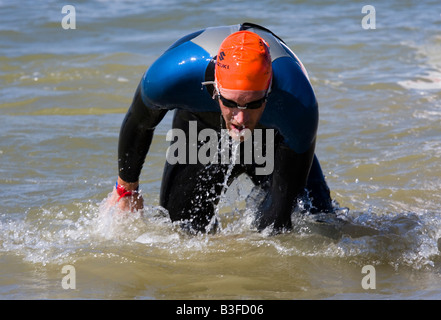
[(63, 95)]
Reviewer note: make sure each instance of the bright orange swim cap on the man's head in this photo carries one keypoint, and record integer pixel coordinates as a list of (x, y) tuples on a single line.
[(243, 63)]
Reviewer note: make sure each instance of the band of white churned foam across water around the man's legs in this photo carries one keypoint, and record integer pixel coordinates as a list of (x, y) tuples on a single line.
[(55, 236)]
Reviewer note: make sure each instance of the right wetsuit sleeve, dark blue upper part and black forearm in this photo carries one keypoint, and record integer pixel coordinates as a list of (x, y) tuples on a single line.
[(292, 109)]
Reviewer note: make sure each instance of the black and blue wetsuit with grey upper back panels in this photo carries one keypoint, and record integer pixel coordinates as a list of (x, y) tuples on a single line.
[(190, 192)]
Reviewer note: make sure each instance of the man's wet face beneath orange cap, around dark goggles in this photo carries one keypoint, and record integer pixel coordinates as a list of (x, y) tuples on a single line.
[(236, 119)]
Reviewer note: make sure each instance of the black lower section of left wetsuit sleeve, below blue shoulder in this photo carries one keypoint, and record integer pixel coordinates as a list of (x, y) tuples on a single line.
[(135, 137)]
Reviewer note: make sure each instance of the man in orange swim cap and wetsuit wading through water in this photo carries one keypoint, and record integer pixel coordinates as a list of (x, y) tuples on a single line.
[(251, 78)]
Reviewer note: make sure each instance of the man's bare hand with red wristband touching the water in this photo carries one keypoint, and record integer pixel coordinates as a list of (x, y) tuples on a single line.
[(126, 197)]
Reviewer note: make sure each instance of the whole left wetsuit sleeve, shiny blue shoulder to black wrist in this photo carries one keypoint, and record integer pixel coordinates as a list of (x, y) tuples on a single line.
[(173, 81)]
